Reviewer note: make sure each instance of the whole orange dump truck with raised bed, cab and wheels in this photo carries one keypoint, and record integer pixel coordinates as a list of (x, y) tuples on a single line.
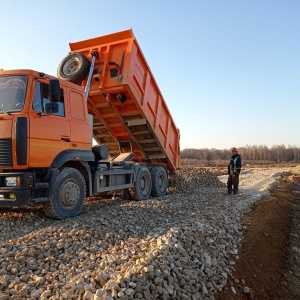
[(105, 92)]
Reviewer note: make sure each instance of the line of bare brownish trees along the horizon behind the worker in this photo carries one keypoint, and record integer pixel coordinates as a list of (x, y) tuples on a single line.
[(250, 154)]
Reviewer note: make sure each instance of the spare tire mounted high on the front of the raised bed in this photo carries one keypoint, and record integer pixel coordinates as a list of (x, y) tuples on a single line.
[(74, 68)]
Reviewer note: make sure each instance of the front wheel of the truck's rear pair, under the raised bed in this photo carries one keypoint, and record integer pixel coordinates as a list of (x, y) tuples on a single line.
[(142, 185)]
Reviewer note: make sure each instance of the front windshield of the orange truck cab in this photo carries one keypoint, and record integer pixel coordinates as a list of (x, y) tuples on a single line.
[(12, 93)]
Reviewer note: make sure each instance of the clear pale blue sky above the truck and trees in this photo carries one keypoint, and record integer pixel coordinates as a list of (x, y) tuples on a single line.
[(228, 70)]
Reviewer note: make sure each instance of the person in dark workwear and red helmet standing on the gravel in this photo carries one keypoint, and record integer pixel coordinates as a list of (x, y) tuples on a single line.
[(234, 170)]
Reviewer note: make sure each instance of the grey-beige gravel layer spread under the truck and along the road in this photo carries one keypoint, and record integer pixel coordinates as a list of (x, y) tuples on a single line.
[(181, 246)]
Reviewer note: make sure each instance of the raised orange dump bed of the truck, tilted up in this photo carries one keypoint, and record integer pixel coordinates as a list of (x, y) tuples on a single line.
[(126, 103)]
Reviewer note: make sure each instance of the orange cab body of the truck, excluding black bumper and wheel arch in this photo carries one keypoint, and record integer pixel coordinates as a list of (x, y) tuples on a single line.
[(31, 133)]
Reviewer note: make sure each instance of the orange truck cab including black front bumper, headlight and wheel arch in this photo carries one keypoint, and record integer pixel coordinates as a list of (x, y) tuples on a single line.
[(39, 127)]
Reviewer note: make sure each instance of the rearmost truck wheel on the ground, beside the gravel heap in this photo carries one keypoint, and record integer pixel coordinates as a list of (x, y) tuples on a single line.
[(159, 181)]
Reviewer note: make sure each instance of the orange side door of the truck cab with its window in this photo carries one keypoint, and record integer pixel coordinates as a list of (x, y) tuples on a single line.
[(49, 133)]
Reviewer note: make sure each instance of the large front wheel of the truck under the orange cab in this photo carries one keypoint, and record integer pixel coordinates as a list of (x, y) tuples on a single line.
[(67, 195)]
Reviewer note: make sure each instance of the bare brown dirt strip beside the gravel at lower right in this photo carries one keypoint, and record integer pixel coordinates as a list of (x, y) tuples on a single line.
[(269, 255)]
